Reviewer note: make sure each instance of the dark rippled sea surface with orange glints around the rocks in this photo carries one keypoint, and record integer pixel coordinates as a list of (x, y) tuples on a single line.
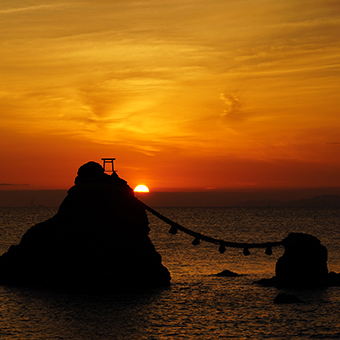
[(197, 305)]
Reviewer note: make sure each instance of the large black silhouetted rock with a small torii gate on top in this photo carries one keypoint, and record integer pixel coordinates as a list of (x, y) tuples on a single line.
[(98, 240)]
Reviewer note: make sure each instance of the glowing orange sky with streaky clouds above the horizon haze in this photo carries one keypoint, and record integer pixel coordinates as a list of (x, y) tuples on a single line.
[(187, 95)]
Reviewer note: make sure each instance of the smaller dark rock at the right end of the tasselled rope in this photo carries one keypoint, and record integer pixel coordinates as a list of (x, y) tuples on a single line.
[(303, 264)]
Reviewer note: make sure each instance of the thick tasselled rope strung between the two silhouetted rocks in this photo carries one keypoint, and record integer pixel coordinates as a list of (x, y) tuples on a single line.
[(222, 243)]
